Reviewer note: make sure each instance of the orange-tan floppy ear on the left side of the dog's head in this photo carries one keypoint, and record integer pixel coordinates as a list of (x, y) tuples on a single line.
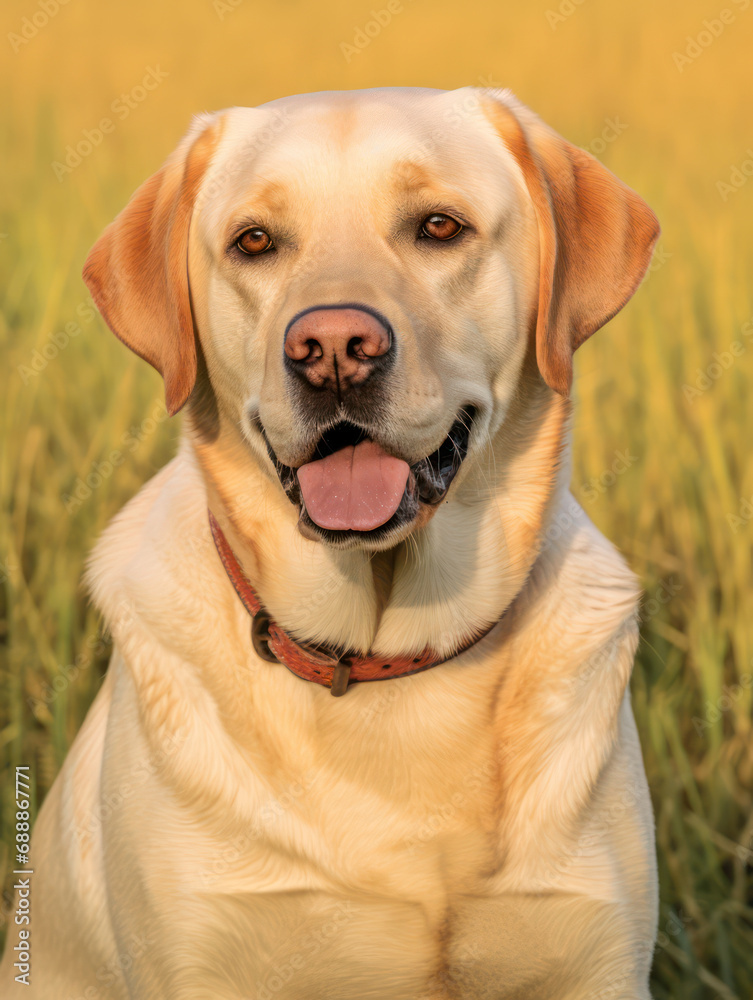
[(137, 271)]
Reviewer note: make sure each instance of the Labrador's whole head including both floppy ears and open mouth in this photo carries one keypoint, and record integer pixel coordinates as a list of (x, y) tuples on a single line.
[(358, 279)]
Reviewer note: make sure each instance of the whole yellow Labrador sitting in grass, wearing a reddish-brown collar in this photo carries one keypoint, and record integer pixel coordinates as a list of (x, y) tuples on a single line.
[(366, 732)]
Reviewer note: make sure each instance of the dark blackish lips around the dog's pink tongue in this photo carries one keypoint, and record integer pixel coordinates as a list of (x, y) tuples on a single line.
[(430, 477)]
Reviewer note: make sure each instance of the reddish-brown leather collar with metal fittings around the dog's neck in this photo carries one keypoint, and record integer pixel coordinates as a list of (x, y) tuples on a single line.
[(332, 668)]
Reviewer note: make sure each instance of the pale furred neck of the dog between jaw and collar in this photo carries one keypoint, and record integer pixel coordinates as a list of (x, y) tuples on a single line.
[(448, 580)]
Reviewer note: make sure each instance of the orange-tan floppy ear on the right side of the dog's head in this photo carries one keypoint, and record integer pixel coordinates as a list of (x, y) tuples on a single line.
[(596, 236)]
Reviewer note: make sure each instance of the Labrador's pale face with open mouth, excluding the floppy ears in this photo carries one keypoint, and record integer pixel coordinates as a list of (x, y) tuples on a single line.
[(362, 288)]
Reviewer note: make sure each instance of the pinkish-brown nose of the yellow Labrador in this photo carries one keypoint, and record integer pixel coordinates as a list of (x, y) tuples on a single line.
[(336, 347)]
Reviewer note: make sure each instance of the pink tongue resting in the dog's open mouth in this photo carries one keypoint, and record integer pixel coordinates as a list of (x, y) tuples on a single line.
[(356, 488)]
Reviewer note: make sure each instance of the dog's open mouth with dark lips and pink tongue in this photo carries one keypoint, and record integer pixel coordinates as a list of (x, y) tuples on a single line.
[(352, 489)]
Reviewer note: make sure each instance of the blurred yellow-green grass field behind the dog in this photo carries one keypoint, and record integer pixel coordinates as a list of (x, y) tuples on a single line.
[(664, 471)]
